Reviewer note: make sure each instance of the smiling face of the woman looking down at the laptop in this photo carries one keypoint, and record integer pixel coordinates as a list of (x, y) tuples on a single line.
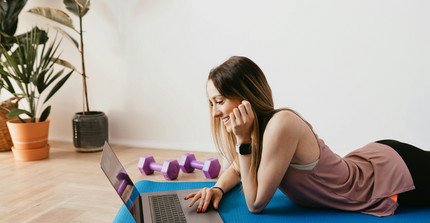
[(221, 106)]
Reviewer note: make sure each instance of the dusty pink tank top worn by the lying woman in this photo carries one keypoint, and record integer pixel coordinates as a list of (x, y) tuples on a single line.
[(361, 181)]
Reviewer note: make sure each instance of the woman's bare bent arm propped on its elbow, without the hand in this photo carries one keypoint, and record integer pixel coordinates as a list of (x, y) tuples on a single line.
[(280, 141)]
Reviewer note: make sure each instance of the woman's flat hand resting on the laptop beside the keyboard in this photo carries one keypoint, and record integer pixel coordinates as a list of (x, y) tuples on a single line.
[(206, 196)]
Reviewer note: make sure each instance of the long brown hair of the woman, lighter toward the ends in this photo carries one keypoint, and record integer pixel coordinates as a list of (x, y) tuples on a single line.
[(240, 78)]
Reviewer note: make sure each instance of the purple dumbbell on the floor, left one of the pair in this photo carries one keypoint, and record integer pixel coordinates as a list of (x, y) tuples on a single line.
[(170, 168)]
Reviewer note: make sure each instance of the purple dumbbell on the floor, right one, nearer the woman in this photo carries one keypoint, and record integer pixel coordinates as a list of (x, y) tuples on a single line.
[(210, 167)]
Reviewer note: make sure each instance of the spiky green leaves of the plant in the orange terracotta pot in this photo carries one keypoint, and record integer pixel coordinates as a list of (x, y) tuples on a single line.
[(31, 70)]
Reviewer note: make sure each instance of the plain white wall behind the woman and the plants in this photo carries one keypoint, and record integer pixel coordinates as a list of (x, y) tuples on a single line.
[(357, 70)]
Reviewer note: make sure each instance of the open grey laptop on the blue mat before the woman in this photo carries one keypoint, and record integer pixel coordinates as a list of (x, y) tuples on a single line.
[(167, 206)]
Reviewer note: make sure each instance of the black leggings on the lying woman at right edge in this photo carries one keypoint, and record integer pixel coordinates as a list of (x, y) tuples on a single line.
[(418, 163)]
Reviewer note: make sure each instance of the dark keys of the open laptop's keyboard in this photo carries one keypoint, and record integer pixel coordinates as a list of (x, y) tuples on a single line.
[(166, 208)]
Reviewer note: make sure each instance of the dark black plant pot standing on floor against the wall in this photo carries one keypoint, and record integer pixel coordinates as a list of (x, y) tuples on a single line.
[(90, 131)]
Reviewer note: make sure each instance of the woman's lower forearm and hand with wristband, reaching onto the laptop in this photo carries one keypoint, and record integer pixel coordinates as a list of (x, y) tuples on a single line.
[(226, 182)]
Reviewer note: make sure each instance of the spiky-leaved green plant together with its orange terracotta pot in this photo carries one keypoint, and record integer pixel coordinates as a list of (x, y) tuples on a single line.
[(28, 71)]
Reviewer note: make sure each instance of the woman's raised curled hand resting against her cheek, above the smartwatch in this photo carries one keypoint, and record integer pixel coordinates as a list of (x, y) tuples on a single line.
[(242, 119)]
